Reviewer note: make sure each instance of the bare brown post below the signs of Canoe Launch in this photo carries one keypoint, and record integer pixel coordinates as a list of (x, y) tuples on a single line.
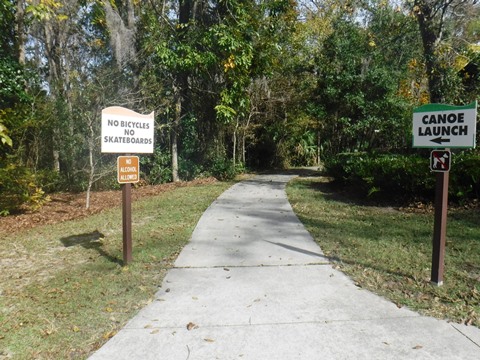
[(440, 227)]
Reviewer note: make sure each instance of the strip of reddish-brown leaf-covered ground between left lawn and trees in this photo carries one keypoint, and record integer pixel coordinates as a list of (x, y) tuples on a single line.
[(67, 206)]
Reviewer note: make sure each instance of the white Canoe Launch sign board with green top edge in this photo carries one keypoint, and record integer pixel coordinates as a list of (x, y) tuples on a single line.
[(445, 126)]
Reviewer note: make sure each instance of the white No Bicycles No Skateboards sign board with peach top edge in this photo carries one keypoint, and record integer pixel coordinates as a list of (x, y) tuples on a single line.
[(125, 131)]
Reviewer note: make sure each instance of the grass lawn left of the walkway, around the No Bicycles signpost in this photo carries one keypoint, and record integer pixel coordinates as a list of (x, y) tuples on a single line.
[(63, 290)]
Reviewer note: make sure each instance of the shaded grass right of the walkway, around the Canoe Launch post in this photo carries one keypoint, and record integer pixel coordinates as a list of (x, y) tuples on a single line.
[(389, 251)]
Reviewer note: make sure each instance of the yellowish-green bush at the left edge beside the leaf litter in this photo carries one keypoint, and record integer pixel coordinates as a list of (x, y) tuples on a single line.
[(20, 190)]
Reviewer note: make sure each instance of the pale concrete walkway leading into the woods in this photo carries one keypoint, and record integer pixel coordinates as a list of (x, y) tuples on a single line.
[(252, 284)]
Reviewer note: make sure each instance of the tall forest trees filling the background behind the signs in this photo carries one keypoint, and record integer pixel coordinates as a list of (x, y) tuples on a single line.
[(234, 84)]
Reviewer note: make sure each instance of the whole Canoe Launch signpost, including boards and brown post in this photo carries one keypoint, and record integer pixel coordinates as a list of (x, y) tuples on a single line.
[(441, 126)]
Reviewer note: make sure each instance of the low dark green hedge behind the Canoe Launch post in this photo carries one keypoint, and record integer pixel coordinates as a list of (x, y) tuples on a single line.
[(404, 177)]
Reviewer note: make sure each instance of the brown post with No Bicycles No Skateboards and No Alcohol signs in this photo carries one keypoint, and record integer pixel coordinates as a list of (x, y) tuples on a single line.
[(125, 131)]
